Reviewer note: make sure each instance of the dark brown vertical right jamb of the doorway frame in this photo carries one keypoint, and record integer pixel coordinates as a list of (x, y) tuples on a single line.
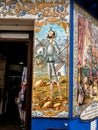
[(29, 82)]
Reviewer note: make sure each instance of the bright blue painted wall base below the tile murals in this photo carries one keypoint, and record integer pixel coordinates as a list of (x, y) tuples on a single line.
[(73, 124)]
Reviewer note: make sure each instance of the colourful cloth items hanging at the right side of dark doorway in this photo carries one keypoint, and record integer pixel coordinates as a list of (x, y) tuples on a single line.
[(21, 101)]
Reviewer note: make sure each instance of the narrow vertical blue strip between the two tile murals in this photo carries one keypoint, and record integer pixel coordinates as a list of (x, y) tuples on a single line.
[(71, 60)]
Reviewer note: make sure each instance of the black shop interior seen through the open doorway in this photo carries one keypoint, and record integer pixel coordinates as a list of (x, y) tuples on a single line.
[(14, 55)]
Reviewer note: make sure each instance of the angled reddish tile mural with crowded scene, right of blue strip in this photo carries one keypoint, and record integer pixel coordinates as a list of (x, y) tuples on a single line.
[(85, 88)]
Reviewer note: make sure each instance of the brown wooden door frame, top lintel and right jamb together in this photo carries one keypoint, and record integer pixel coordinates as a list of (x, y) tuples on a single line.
[(22, 25)]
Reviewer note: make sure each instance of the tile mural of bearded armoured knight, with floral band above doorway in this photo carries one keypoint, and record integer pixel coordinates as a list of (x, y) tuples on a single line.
[(50, 96)]
